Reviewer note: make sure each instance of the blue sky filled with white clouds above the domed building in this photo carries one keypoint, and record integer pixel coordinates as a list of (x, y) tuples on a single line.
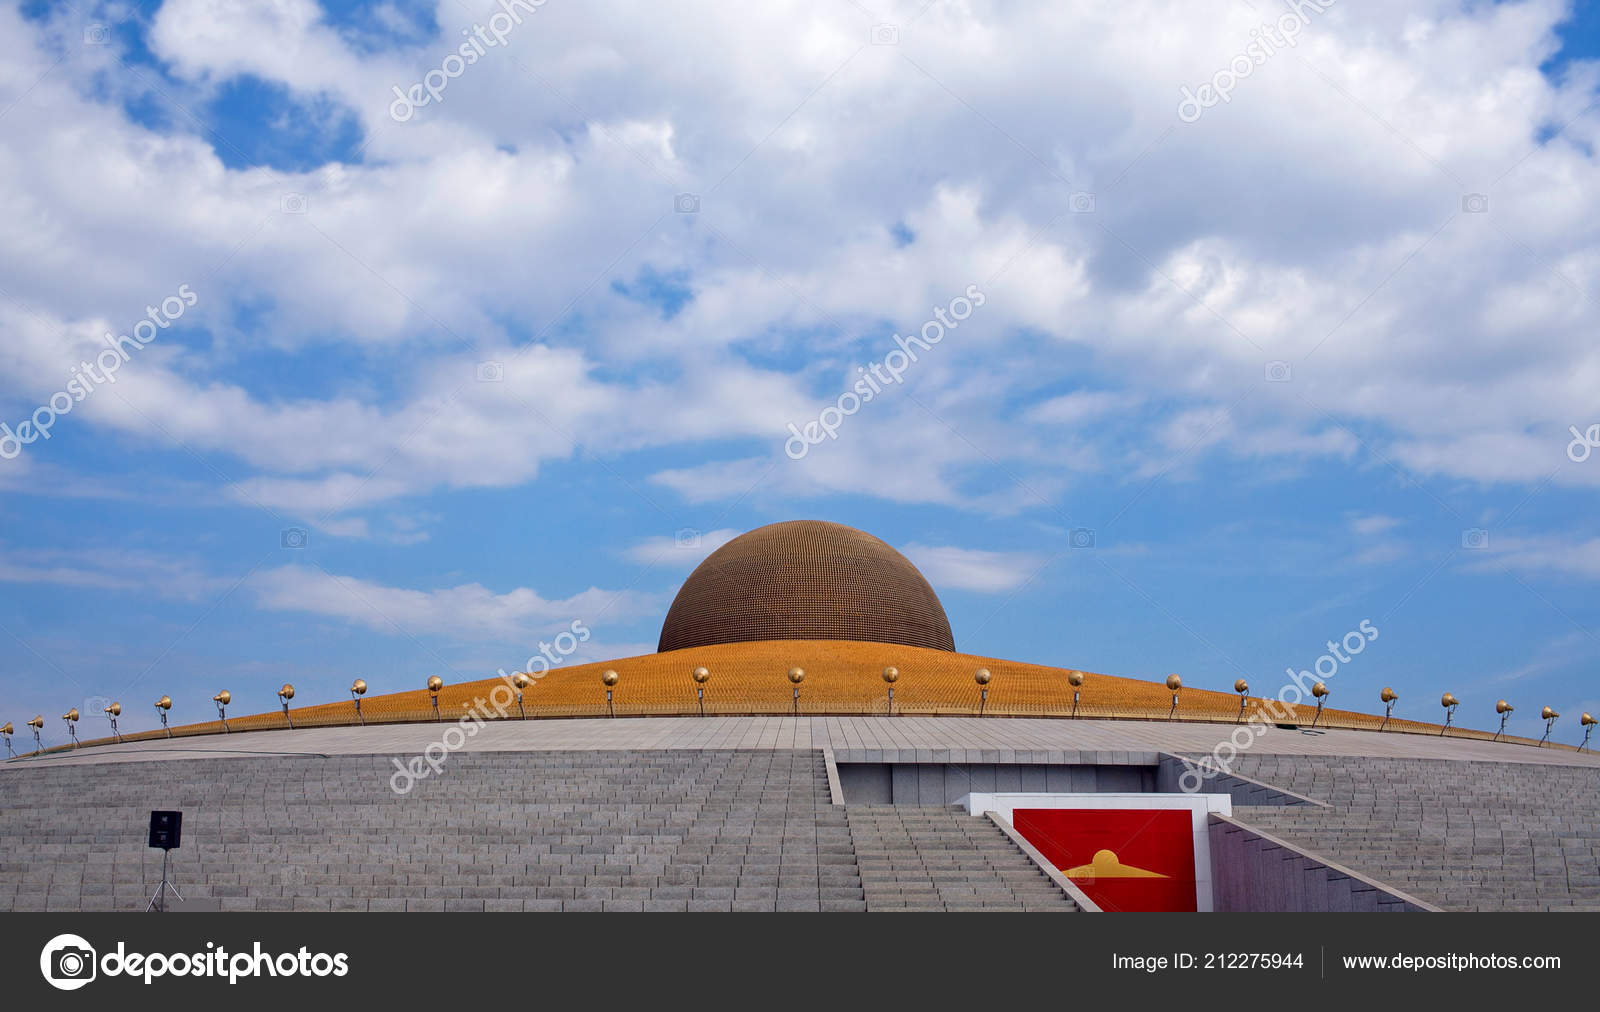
[(462, 326)]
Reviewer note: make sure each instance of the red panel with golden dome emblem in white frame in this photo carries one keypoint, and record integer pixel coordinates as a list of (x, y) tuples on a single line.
[(1122, 859)]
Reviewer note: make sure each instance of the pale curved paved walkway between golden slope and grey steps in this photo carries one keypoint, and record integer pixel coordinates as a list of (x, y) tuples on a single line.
[(852, 739)]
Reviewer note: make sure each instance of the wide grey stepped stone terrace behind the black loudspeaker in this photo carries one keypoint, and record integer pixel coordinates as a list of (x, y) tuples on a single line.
[(498, 832)]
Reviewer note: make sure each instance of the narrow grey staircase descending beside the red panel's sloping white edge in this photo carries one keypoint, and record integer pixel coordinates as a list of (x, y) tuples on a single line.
[(929, 859)]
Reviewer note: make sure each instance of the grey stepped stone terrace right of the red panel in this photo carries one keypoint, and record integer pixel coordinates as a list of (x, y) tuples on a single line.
[(1458, 835)]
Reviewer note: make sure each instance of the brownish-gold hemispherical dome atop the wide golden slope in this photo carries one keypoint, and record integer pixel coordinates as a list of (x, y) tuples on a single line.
[(806, 580)]
